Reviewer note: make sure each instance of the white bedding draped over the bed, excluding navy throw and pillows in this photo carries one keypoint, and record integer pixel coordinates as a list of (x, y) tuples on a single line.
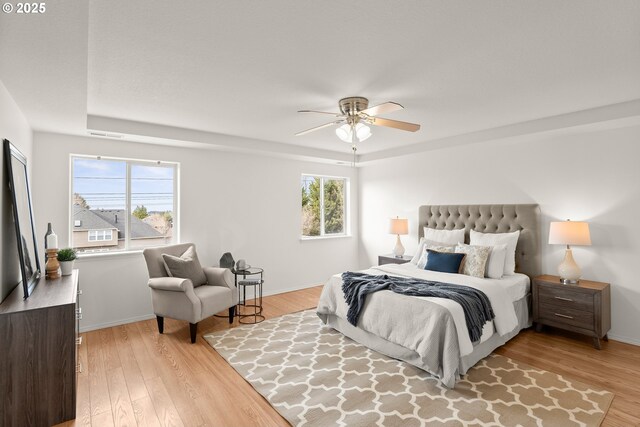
[(432, 329)]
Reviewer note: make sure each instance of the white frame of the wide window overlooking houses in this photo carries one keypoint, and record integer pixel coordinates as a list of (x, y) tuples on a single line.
[(129, 162)]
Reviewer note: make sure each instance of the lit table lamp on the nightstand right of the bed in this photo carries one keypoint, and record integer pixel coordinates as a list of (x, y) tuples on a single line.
[(569, 233)]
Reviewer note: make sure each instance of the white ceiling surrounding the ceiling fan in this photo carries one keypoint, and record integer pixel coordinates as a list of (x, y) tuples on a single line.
[(244, 68)]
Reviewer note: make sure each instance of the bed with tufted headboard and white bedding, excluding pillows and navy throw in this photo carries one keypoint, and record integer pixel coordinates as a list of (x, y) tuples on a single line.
[(429, 332)]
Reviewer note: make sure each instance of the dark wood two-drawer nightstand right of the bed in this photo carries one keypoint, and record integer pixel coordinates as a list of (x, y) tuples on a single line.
[(584, 308)]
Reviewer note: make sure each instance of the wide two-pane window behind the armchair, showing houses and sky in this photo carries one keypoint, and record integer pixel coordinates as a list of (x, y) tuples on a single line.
[(120, 204)]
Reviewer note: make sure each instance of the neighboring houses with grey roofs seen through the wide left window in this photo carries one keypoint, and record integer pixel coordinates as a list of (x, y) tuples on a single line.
[(105, 229)]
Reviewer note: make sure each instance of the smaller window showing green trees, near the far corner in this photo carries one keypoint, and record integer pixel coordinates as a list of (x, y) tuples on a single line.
[(324, 206)]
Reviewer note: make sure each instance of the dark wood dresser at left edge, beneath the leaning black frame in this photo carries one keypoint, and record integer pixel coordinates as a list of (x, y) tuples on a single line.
[(38, 361)]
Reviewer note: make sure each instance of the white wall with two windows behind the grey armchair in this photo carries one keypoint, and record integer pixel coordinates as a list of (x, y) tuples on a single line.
[(248, 205)]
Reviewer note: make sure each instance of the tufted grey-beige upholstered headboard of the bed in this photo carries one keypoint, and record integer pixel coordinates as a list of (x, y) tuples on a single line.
[(491, 219)]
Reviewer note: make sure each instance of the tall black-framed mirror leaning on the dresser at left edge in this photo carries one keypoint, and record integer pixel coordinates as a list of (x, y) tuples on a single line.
[(16, 166)]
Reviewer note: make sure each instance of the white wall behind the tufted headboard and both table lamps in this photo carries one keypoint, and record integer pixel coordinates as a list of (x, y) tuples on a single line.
[(592, 176)]
